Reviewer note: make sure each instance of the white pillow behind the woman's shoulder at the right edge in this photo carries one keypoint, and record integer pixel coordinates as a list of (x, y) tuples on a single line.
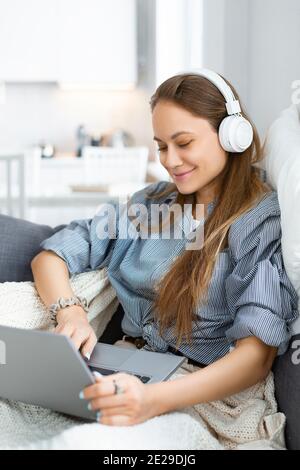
[(282, 164)]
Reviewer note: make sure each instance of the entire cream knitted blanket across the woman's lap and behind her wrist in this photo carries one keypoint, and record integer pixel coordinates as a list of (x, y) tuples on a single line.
[(248, 420)]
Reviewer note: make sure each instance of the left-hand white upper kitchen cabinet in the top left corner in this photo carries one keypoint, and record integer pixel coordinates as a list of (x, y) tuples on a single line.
[(28, 49)]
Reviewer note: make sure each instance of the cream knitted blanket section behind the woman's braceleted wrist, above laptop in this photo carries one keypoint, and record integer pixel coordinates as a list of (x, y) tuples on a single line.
[(21, 306)]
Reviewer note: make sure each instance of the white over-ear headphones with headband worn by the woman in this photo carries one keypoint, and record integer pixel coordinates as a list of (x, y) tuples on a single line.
[(235, 132)]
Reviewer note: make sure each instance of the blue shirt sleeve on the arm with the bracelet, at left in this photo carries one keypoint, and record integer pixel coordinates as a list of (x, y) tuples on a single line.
[(87, 244)]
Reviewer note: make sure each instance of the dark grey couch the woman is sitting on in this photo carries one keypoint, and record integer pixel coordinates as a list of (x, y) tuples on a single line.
[(19, 243)]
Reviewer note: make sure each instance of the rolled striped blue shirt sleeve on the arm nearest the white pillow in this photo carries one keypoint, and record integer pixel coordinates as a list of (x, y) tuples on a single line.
[(260, 297)]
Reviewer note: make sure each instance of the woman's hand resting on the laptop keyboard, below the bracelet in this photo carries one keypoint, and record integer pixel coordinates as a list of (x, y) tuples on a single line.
[(73, 322)]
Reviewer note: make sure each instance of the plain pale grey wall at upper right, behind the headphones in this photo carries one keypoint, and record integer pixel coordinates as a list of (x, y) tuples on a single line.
[(256, 45)]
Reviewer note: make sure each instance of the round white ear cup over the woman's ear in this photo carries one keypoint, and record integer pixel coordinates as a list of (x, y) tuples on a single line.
[(235, 134)]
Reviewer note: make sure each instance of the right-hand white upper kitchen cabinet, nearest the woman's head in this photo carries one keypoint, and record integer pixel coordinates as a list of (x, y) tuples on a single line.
[(98, 42)]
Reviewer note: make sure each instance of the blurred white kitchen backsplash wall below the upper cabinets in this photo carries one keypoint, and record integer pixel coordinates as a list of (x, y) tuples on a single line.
[(34, 112)]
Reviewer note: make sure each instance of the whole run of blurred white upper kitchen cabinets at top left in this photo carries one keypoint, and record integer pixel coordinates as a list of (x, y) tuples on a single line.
[(89, 42)]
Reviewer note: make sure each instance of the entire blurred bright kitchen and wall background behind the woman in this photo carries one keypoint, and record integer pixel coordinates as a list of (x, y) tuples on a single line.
[(76, 77)]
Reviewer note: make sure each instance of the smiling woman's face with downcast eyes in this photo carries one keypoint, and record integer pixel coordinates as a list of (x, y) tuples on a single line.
[(189, 149)]
